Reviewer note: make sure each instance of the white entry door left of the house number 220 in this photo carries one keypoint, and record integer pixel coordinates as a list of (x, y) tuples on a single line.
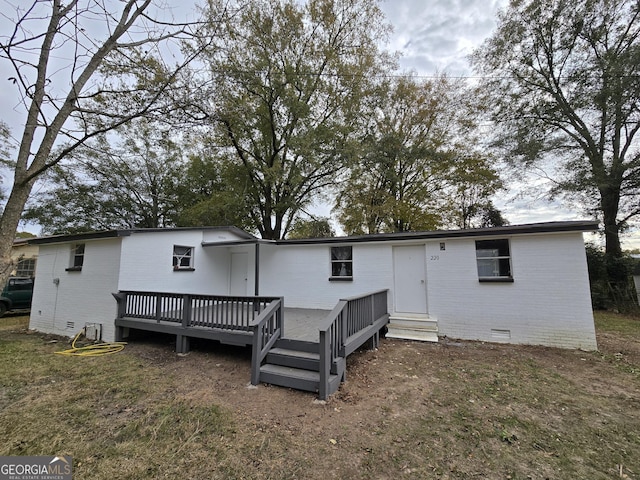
[(410, 279)]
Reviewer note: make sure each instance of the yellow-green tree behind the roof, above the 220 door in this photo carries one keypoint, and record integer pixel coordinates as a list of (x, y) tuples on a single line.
[(419, 169)]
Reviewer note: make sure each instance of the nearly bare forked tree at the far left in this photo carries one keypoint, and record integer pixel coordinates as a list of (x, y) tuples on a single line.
[(80, 68)]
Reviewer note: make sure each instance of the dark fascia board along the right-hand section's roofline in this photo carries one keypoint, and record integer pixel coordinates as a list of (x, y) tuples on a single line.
[(525, 229)]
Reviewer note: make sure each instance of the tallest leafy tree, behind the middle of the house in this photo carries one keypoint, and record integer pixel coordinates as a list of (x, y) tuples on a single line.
[(289, 79)]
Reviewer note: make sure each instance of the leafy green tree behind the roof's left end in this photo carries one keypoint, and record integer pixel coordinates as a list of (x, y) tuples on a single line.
[(104, 186)]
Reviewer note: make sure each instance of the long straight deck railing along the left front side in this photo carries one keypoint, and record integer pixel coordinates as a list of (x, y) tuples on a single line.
[(212, 311)]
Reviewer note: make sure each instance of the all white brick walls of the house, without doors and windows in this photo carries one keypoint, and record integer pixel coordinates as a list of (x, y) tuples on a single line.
[(548, 303)]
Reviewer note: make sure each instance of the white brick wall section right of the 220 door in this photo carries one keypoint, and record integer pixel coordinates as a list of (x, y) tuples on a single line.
[(548, 303)]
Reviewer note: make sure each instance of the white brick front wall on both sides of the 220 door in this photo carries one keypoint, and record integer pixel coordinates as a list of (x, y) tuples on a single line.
[(548, 303)]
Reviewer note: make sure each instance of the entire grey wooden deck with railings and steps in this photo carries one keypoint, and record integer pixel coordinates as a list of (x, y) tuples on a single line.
[(293, 347)]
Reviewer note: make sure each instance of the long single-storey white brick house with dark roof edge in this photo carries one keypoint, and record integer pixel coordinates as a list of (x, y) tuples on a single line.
[(520, 284)]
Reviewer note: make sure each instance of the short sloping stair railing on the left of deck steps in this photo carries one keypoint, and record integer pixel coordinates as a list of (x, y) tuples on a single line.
[(267, 329)]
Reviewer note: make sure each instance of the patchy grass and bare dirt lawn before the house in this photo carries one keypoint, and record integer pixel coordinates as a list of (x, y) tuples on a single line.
[(457, 410)]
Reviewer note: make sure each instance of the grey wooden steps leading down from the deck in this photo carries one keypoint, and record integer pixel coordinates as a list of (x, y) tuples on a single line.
[(296, 364)]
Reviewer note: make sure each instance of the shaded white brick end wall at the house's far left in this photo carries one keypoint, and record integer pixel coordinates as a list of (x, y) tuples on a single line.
[(79, 297)]
